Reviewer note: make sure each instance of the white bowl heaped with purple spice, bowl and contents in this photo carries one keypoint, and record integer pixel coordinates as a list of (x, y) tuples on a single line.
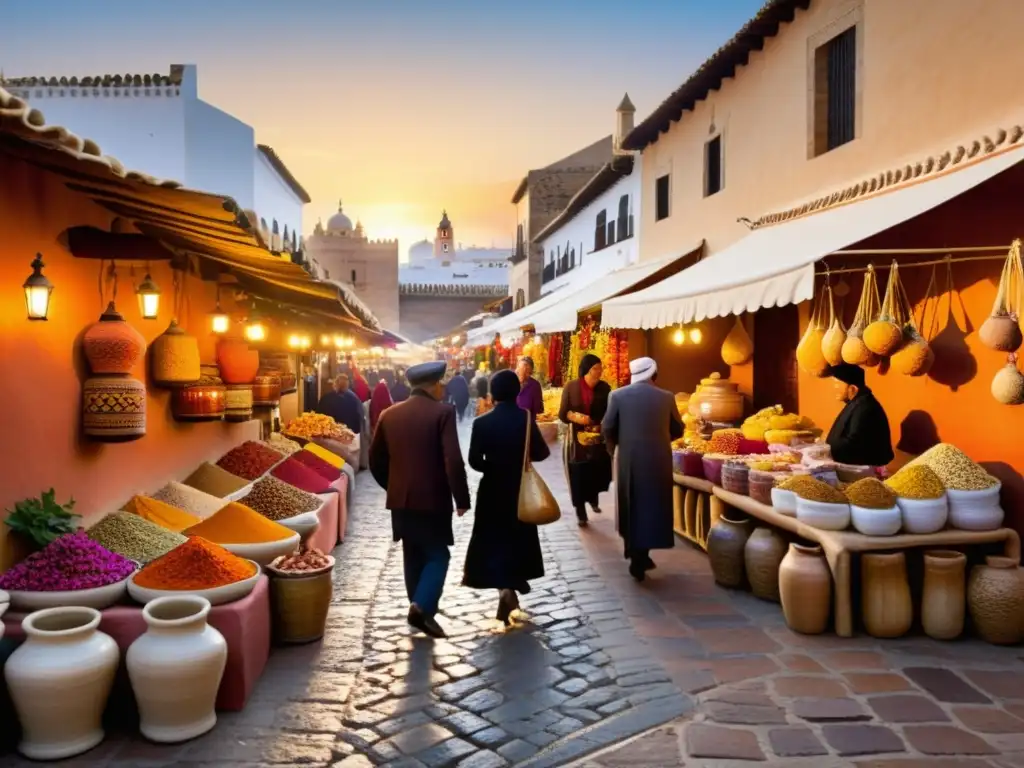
[(73, 571)]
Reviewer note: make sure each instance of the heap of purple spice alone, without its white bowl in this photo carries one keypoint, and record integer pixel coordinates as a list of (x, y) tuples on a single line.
[(72, 563)]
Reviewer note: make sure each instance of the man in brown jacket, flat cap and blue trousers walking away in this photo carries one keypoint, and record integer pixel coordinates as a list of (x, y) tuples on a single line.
[(415, 456)]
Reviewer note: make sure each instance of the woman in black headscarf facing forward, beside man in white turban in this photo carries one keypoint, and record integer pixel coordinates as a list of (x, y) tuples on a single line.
[(588, 467)]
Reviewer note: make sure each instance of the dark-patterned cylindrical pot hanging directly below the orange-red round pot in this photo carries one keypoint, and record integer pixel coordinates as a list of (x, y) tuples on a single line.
[(113, 409)]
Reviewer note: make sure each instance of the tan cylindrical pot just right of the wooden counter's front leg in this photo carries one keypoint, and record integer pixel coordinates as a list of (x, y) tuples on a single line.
[(885, 595)]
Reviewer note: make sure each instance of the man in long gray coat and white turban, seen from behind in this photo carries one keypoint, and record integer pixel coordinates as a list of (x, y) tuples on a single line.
[(639, 428)]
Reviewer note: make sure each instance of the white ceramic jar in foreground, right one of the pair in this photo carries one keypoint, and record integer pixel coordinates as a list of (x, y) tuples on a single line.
[(176, 669)]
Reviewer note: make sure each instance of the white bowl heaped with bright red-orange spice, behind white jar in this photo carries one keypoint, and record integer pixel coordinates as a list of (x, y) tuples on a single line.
[(197, 568)]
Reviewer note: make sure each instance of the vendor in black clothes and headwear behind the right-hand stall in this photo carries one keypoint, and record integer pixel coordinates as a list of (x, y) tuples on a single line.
[(861, 434)]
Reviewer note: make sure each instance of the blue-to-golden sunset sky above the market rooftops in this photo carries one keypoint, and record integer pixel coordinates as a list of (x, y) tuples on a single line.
[(400, 108)]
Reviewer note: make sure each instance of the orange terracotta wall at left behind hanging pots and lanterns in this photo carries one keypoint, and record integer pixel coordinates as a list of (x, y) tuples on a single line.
[(41, 386)]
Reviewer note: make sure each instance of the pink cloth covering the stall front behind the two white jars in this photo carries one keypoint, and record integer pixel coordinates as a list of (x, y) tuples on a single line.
[(245, 625)]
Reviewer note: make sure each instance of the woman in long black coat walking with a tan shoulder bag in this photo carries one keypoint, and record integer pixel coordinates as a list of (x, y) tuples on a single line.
[(504, 553)]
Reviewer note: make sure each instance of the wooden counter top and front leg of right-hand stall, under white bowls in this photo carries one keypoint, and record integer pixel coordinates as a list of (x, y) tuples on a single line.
[(839, 546)]
